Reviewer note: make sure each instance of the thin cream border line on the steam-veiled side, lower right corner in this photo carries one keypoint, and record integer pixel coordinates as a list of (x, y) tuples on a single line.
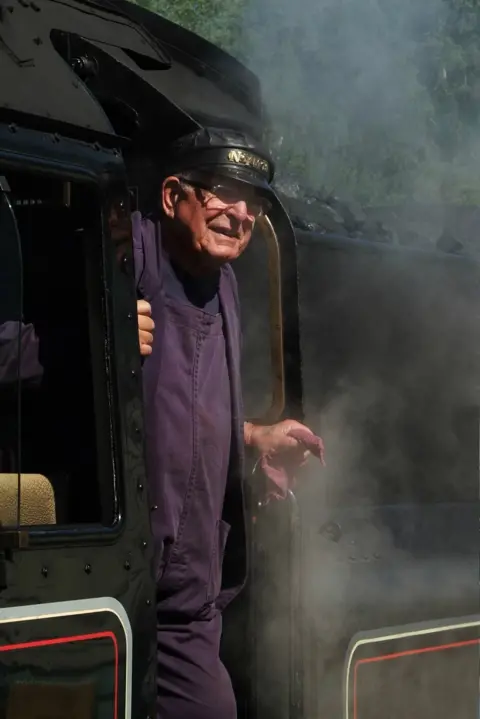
[(409, 630)]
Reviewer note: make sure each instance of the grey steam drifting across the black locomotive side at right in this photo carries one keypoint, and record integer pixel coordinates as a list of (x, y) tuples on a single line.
[(389, 351)]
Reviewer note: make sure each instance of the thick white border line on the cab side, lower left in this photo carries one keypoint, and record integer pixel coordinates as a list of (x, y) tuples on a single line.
[(32, 612)]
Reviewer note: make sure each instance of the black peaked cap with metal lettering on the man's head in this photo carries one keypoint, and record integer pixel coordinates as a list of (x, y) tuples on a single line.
[(226, 152)]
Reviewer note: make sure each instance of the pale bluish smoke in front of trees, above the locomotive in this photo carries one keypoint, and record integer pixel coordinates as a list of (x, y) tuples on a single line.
[(343, 82)]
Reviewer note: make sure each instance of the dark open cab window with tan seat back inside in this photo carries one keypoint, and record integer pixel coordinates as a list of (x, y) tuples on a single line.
[(55, 442)]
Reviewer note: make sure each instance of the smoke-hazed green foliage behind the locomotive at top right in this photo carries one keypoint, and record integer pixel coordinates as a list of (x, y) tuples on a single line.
[(378, 100)]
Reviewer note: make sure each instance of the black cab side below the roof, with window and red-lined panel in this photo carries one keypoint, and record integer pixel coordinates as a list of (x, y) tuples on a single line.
[(71, 450)]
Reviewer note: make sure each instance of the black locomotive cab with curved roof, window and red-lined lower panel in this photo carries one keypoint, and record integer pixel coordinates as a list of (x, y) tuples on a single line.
[(76, 573)]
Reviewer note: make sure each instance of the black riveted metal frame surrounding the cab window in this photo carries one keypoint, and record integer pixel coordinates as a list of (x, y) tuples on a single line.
[(83, 562)]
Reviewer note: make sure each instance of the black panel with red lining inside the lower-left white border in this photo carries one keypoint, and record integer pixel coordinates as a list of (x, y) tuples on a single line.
[(84, 659)]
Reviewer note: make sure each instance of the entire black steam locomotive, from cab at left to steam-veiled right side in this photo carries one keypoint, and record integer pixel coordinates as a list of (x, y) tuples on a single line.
[(363, 592)]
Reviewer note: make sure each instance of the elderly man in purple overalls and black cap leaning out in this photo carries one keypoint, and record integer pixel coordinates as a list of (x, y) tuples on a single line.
[(215, 185)]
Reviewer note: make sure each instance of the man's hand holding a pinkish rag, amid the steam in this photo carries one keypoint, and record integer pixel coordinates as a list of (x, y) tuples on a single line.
[(274, 439)]
